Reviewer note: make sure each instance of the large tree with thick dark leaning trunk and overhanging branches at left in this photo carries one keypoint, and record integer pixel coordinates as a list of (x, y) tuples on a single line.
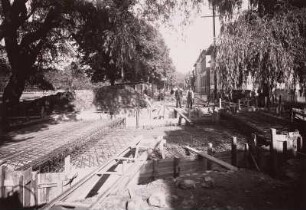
[(34, 31)]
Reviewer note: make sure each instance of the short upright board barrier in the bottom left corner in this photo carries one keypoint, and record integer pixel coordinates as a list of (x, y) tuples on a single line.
[(29, 188)]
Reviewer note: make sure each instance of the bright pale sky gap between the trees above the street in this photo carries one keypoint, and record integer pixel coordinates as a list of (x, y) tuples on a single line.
[(186, 44)]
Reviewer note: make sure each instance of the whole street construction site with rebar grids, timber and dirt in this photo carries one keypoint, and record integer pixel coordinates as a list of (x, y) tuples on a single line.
[(145, 153)]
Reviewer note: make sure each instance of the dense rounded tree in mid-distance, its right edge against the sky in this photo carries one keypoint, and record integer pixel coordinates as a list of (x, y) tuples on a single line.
[(122, 48)]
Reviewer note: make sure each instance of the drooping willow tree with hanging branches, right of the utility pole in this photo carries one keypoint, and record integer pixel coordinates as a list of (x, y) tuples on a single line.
[(271, 48)]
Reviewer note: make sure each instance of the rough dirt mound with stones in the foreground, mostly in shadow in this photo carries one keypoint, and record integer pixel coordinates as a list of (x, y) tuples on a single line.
[(243, 189)]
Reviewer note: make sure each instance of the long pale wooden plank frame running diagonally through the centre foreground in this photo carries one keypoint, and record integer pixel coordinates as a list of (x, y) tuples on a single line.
[(118, 172)]
